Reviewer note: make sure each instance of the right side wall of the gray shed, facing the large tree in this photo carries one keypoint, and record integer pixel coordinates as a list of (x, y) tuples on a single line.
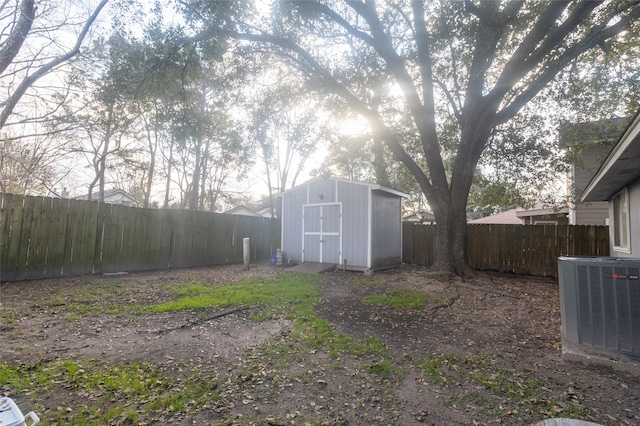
[(386, 230)]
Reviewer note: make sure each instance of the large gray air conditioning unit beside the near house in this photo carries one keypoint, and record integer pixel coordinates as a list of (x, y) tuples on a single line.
[(600, 305)]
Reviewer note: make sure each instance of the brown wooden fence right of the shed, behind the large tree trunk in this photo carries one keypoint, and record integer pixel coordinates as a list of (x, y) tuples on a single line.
[(519, 249)]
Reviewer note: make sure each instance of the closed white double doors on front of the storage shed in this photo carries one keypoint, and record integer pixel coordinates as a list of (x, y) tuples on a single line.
[(321, 233)]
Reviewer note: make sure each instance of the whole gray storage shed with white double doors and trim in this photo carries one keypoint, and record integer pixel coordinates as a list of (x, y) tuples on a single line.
[(355, 225)]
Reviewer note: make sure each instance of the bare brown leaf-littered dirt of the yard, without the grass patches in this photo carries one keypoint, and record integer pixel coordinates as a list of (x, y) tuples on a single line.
[(509, 323)]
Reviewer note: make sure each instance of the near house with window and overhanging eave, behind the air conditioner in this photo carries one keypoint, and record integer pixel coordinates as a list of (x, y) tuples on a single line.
[(617, 182)]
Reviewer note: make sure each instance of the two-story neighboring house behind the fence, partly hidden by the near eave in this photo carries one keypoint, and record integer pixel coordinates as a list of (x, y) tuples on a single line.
[(589, 143)]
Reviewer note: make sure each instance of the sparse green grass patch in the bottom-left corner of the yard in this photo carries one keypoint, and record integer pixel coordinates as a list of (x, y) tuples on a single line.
[(120, 394)]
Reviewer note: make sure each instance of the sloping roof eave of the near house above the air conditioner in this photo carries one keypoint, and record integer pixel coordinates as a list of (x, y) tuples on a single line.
[(619, 169)]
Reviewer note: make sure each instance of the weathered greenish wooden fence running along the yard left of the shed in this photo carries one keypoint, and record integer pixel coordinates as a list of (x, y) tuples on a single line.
[(51, 237)]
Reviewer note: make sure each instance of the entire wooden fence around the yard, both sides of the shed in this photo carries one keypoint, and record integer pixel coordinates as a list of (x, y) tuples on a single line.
[(52, 237)]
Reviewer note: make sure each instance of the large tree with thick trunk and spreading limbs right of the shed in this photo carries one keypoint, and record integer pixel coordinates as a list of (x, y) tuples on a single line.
[(468, 65)]
